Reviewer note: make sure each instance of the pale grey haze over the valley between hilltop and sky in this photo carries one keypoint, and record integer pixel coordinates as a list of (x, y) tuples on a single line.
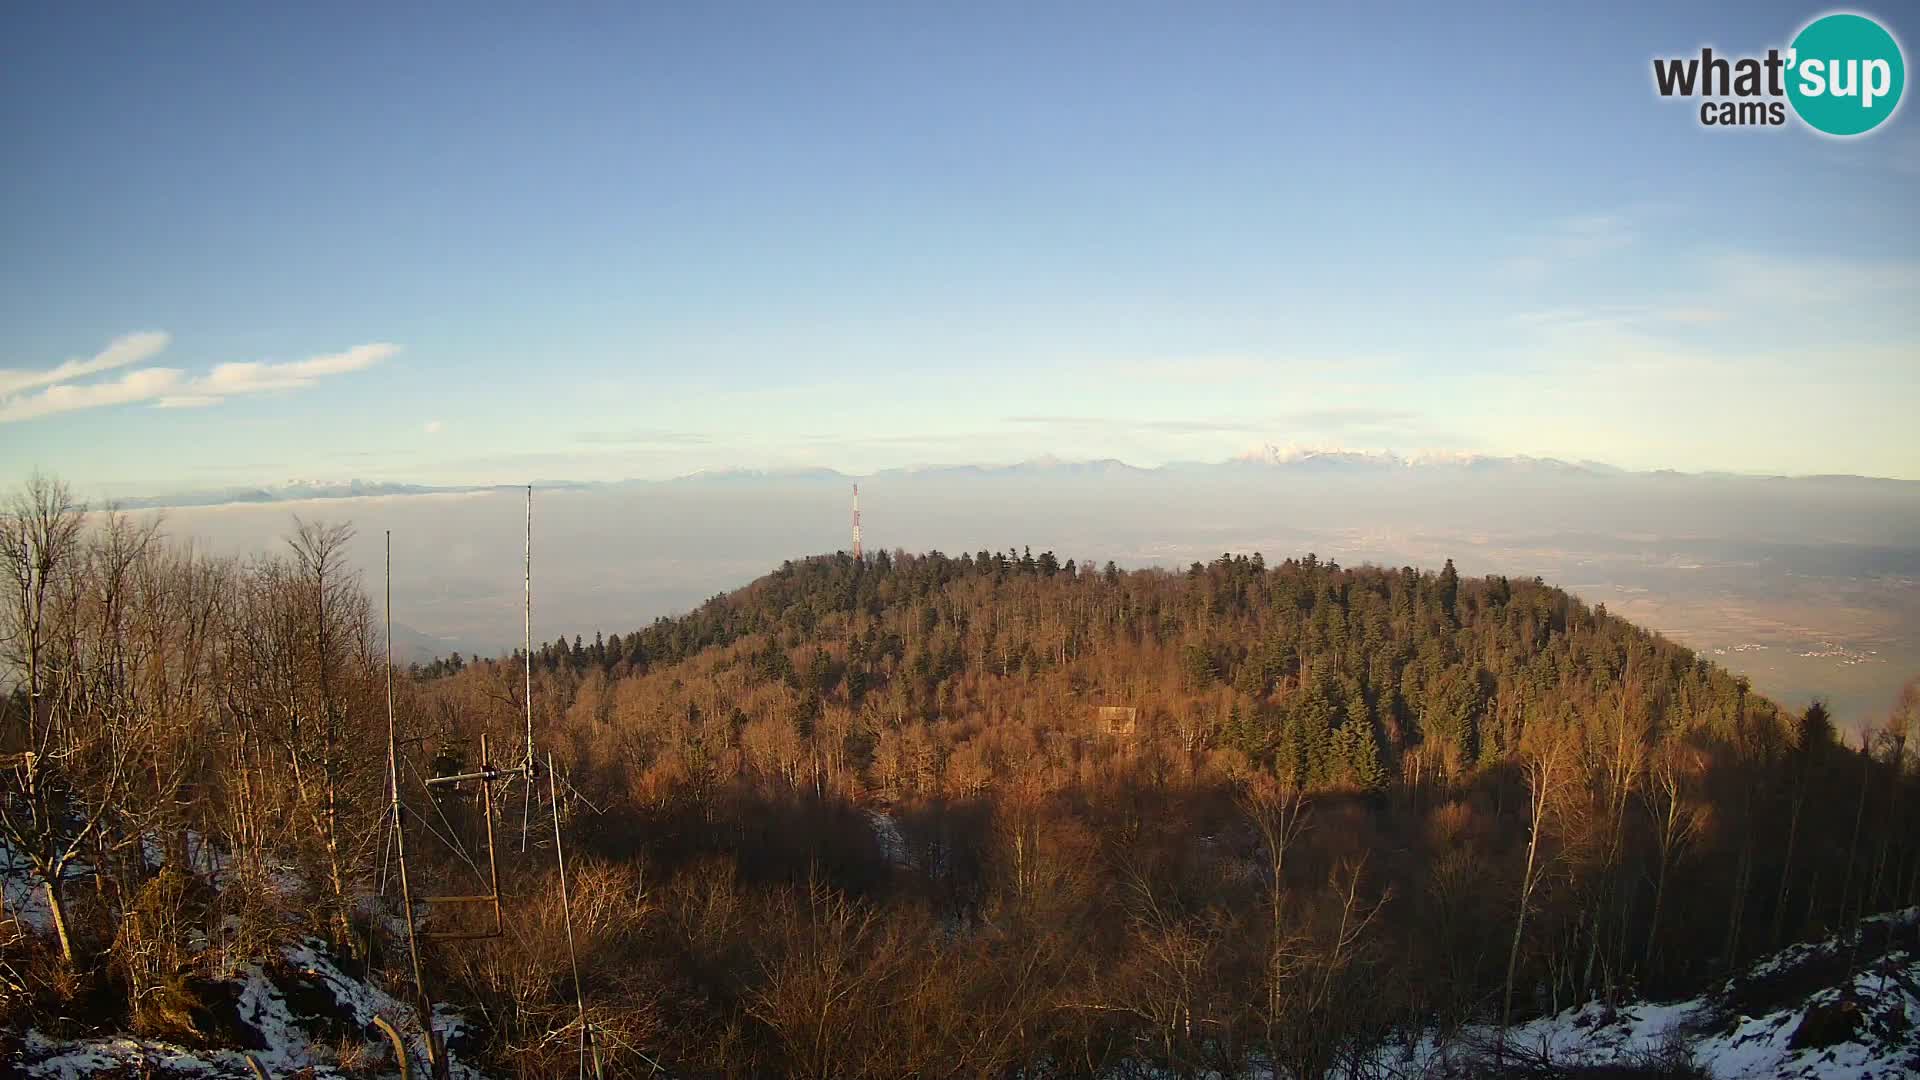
[(1810, 587)]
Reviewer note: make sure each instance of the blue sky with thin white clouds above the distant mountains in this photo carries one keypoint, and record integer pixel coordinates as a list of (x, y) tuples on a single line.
[(460, 243)]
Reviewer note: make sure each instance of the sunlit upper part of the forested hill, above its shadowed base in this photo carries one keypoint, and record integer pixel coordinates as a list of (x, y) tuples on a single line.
[(1335, 677)]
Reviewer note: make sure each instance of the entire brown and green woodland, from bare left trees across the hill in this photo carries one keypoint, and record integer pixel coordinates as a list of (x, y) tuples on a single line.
[(1343, 804)]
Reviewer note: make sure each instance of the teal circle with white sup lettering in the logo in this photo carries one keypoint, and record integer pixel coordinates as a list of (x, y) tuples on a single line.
[(1846, 74)]
